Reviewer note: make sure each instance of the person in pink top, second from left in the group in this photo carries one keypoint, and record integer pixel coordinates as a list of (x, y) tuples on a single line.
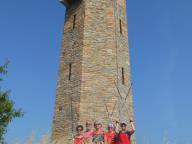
[(88, 134)]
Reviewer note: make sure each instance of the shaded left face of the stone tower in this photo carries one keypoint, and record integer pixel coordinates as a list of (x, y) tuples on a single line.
[(67, 104)]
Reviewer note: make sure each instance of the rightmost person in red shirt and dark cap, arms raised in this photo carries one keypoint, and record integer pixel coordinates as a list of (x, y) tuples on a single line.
[(124, 136)]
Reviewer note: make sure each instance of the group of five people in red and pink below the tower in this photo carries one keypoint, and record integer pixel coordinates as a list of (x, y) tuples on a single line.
[(116, 134)]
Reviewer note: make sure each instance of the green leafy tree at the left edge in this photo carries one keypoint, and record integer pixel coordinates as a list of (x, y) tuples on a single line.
[(7, 110)]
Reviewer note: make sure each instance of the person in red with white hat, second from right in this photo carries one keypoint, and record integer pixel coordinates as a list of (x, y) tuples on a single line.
[(111, 135)]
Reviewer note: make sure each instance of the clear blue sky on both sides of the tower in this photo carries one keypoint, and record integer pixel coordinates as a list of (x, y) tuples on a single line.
[(160, 40)]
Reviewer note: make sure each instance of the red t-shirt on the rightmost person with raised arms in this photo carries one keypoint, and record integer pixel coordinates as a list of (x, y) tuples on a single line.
[(125, 137)]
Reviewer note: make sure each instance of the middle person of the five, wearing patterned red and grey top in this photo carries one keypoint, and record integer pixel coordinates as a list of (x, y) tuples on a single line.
[(98, 134)]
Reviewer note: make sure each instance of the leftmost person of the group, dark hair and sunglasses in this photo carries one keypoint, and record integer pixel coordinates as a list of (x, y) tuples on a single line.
[(79, 137)]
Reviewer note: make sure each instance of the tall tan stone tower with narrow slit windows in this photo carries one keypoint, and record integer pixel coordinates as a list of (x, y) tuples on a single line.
[(94, 72)]
